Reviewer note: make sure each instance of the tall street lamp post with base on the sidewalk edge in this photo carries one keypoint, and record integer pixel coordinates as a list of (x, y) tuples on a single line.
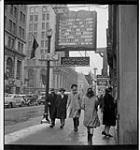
[(45, 116)]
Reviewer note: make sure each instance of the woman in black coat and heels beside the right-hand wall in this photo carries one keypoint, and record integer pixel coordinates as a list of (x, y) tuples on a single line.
[(109, 112)]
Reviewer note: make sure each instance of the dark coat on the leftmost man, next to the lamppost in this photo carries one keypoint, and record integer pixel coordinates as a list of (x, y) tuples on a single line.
[(52, 105)]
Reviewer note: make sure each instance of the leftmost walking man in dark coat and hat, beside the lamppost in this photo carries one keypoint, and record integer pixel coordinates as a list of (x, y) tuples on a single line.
[(52, 106)]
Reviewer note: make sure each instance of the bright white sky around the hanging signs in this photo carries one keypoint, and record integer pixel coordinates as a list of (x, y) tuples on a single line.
[(96, 60)]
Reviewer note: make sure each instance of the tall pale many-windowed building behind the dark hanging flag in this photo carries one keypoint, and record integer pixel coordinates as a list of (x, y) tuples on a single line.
[(40, 18)]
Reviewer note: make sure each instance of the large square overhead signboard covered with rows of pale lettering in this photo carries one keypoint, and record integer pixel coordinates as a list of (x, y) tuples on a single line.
[(77, 31)]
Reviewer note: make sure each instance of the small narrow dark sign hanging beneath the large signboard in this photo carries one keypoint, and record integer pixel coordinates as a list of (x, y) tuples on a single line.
[(75, 61)]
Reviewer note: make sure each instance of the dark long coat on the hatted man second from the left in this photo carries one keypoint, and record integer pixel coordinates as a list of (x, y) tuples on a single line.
[(61, 106)]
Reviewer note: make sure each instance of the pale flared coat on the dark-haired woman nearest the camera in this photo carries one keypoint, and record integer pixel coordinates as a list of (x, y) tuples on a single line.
[(90, 112)]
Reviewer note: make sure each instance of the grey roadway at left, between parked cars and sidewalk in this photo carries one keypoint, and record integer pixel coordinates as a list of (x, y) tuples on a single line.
[(21, 117)]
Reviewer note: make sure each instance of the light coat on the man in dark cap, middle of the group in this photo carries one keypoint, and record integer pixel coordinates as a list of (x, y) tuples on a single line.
[(74, 103)]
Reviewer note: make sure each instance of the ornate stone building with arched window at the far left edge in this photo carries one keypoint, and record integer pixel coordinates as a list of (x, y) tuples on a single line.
[(14, 47)]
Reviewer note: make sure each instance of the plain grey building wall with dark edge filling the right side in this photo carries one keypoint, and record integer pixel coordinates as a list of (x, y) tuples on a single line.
[(122, 60)]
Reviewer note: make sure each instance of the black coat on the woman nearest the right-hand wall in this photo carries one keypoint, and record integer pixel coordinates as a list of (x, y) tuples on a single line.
[(109, 108)]
